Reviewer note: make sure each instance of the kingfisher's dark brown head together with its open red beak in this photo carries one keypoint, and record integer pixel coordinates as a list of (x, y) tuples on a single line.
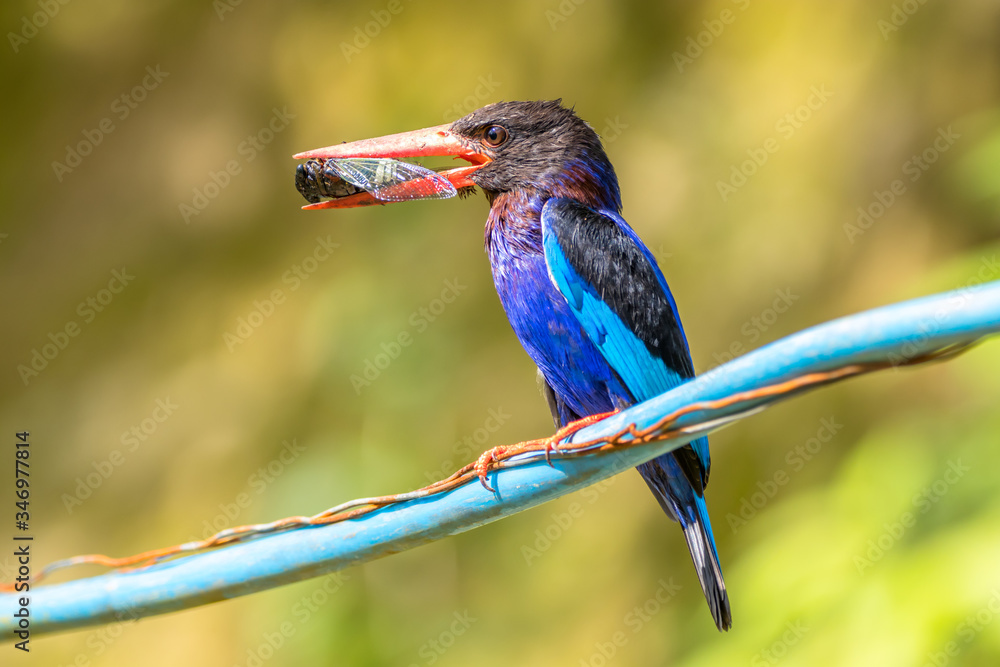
[(541, 147)]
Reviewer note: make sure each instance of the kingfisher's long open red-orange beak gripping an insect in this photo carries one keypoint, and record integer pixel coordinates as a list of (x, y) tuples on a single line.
[(431, 141)]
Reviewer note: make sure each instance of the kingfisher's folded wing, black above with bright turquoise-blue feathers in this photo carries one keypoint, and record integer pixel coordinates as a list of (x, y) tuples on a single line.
[(619, 295)]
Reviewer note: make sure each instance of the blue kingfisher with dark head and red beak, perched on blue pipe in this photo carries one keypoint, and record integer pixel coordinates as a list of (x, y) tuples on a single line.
[(584, 296)]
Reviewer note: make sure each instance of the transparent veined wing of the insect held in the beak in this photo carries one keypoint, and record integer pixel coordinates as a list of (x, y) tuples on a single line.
[(393, 180)]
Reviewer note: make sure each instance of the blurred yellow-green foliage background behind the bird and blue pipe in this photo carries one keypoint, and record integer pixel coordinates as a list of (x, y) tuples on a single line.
[(880, 545)]
